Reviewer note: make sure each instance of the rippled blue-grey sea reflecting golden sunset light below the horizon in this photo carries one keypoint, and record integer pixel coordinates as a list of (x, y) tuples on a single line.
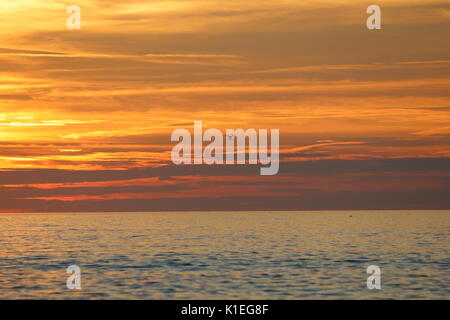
[(226, 255)]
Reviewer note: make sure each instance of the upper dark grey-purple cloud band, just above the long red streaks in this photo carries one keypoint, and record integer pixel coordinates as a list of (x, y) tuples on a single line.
[(324, 167)]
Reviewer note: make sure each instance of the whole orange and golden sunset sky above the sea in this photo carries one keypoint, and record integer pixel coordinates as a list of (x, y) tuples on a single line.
[(86, 115)]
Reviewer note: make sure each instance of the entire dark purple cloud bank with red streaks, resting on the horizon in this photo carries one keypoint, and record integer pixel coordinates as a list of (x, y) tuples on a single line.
[(312, 185)]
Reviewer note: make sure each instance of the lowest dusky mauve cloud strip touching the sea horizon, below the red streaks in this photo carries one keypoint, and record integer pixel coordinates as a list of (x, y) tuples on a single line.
[(426, 199)]
